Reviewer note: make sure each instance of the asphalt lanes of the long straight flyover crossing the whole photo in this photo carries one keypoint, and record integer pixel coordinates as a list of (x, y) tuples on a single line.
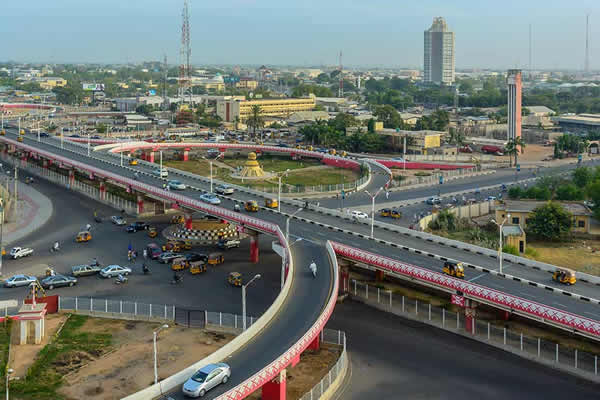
[(310, 231)]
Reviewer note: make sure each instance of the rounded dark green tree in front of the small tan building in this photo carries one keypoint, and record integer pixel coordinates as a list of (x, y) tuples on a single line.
[(549, 222)]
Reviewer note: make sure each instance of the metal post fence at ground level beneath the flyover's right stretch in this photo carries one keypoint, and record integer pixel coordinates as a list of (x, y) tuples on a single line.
[(534, 348)]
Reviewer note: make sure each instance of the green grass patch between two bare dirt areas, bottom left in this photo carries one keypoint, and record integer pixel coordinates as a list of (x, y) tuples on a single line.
[(72, 348)]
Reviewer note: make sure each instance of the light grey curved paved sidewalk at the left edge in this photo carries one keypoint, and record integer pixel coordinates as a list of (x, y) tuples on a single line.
[(34, 210)]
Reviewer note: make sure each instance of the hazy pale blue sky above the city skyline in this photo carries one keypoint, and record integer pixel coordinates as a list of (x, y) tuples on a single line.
[(306, 32)]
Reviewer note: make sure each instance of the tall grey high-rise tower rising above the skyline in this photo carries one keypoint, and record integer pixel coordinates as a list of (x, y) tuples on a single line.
[(439, 53)]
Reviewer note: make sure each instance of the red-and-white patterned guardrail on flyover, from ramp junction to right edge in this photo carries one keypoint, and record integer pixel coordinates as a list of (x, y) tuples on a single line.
[(530, 309)]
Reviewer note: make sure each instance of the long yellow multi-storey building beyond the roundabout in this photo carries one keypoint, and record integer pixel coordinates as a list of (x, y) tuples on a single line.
[(229, 110)]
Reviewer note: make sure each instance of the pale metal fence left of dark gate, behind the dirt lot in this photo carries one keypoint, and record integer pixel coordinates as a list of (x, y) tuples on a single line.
[(105, 308)]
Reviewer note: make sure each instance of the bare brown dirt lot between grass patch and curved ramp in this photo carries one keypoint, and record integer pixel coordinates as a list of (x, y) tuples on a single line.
[(130, 368)]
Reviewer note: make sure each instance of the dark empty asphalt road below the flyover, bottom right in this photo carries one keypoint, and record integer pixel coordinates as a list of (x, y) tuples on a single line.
[(395, 358)]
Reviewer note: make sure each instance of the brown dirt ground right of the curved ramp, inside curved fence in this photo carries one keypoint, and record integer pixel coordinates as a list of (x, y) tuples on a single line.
[(313, 366)]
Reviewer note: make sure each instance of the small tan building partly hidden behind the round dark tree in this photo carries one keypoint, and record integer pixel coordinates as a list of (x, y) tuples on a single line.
[(520, 212)]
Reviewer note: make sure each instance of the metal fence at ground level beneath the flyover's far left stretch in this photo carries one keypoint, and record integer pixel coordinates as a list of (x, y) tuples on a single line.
[(90, 191)]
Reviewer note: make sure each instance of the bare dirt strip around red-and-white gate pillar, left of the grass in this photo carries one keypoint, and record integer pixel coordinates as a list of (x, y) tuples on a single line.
[(22, 356)]
